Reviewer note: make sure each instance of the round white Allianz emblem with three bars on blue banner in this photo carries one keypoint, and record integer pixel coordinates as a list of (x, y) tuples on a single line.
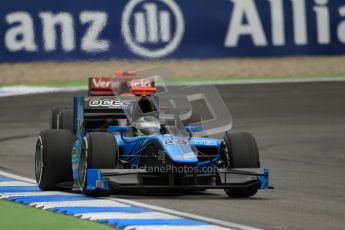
[(147, 23)]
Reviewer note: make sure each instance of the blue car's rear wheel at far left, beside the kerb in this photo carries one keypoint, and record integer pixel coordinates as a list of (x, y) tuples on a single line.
[(53, 164)]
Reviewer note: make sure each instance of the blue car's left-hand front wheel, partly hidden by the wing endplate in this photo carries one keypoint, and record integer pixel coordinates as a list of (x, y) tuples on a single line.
[(98, 151)]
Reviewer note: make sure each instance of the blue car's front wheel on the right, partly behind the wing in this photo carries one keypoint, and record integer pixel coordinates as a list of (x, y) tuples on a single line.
[(241, 151)]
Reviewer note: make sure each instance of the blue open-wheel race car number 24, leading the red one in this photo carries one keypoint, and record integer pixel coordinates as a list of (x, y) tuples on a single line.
[(127, 143)]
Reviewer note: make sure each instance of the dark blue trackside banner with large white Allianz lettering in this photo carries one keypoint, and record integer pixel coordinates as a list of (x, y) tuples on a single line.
[(152, 29)]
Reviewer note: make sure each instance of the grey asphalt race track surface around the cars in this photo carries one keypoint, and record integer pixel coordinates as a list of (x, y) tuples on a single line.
[(300, 129)]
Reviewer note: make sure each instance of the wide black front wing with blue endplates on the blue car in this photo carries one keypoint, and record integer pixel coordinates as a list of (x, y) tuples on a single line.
[(140, 179)]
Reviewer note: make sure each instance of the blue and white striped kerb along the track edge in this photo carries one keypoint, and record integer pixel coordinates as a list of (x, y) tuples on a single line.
[(114, 212)]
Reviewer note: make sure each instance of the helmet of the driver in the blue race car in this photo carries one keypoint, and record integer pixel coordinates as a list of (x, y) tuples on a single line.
[(147, 125)]
